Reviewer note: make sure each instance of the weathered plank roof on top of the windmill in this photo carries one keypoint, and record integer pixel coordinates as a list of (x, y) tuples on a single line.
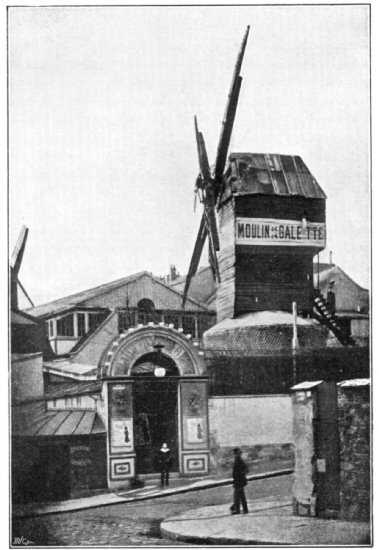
[(271, 174)]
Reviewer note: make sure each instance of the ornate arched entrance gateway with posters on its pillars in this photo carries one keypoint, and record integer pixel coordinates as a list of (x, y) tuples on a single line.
[(155, 391)]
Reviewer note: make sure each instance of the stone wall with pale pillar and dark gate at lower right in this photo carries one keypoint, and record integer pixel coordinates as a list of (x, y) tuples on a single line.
[(332, 472)]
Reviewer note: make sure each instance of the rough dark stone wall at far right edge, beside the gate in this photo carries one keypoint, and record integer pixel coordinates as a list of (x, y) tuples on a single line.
[(354, 435)]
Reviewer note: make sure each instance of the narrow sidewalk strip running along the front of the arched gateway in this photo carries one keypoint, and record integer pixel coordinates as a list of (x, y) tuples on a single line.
[(151, 490)]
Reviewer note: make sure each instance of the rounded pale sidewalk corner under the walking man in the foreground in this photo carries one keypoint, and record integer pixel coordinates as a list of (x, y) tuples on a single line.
[(268, 522)]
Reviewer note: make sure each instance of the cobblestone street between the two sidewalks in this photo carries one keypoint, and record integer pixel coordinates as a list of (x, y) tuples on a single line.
[(132, 524)]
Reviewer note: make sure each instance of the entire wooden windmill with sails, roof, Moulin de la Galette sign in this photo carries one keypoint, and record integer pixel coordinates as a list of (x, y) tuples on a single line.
[(271, 223)]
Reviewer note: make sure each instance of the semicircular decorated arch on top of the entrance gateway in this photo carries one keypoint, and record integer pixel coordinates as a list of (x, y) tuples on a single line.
[(124, 351)]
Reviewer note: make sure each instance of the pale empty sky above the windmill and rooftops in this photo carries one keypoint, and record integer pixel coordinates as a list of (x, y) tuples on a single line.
[(102, 150)]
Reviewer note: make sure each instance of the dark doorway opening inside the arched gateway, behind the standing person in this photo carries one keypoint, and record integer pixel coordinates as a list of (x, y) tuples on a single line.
[(155, 402)]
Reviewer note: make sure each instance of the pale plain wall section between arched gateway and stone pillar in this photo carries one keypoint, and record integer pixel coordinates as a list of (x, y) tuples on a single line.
[(251, 420)]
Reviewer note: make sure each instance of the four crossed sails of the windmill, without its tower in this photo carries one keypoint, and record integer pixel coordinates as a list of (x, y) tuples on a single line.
[(208, 186)]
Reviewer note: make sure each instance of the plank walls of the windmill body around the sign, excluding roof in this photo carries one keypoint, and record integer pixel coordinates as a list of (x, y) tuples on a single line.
[(259, 278)]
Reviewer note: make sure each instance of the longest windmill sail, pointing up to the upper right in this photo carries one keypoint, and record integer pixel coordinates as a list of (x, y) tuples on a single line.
[(228, 120)]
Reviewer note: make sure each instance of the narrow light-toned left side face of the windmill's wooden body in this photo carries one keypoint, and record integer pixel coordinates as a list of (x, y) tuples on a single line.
[(225, 298)]
